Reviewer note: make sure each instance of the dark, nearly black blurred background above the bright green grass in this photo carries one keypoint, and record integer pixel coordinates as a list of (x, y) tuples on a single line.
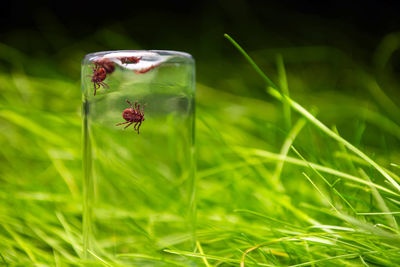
[(59, 29)]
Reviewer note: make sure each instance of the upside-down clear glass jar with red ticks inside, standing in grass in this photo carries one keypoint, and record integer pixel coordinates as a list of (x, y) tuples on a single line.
[(138, 151)]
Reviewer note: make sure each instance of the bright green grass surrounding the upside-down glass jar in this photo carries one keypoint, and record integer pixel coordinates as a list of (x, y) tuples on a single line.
[(305, 176)]
